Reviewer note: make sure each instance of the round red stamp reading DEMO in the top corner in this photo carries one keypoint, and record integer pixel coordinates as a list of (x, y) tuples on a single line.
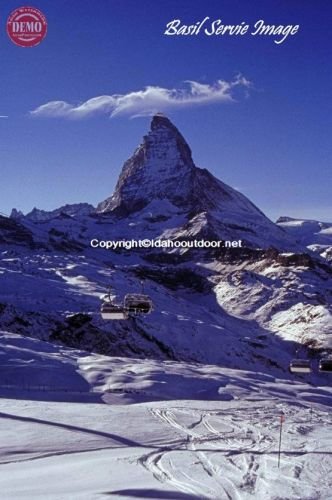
[(26, 26)]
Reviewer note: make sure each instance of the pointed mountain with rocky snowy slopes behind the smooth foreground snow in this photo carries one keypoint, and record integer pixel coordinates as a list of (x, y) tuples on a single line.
[(249, 306)]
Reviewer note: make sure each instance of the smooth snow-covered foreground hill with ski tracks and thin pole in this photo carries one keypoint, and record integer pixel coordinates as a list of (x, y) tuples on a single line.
[(168, 429)]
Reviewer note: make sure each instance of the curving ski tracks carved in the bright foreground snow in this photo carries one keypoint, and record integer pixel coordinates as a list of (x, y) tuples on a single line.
[(204, 464)]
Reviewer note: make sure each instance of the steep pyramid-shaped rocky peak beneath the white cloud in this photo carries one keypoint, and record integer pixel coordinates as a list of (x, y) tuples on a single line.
[(162, 168)]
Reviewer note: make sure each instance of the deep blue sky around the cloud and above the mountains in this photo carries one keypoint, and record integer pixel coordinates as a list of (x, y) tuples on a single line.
[(274, 146)]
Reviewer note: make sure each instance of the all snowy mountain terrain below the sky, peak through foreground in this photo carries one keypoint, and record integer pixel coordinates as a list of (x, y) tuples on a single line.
[(208, 366)]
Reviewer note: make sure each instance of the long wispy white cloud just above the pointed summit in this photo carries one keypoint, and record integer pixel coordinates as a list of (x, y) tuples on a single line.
[(147, 101)]
